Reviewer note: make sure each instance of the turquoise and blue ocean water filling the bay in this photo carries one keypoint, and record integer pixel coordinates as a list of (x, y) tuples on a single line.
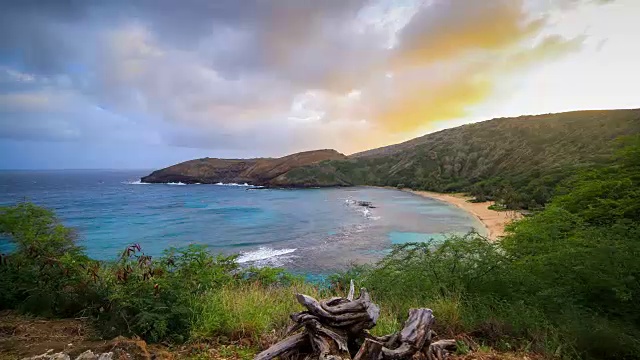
[(311, 231)]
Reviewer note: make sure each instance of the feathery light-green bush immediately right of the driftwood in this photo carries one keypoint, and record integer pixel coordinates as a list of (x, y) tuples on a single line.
[(462, 280)]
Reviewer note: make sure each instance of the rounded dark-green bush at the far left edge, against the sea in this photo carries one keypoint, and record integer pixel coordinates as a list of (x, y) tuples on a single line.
[(47, 274)]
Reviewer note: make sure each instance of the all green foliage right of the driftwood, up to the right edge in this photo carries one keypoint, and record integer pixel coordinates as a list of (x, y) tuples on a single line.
[(564, 282)]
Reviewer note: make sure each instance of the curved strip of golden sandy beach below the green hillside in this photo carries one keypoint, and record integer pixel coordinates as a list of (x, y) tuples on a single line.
[(494, 221)]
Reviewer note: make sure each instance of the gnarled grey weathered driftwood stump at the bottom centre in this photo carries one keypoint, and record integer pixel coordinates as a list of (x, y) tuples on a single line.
[(337, 329)]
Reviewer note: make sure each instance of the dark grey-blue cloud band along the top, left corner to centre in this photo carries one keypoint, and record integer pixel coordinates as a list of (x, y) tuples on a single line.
[(251, 34)]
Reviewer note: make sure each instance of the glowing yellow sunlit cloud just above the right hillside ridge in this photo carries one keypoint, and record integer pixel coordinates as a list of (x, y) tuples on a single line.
[(447, 91)]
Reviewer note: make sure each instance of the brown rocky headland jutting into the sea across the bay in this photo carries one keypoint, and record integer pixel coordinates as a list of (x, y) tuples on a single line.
[(260, 171)]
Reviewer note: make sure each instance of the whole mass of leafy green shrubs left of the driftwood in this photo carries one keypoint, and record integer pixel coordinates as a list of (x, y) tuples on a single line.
[(159, 299)]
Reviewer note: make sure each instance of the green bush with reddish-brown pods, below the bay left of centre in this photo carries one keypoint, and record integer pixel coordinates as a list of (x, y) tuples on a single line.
[(157, 299)]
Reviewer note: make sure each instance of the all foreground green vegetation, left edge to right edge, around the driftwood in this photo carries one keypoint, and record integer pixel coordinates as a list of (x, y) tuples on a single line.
[(563, 282)]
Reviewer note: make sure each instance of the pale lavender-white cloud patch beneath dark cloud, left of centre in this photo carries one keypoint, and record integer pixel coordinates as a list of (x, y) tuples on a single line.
[(140, 74)]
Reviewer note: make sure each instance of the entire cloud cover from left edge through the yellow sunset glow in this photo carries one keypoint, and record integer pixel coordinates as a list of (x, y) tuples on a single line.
[(284, 75)]
